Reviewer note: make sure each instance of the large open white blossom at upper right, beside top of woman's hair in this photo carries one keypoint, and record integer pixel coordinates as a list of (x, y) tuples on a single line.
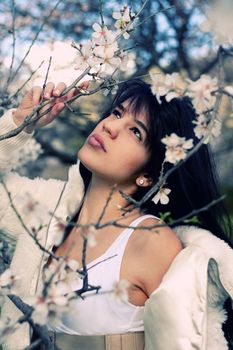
[(201, 93)]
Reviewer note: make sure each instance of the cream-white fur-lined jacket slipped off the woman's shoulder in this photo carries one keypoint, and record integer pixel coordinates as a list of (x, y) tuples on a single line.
[(184, 313)]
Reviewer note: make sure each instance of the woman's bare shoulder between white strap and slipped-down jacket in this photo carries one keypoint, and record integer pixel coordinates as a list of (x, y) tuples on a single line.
[(156, 247)]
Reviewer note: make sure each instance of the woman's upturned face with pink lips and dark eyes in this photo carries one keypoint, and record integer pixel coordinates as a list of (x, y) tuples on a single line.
[(124, 155)]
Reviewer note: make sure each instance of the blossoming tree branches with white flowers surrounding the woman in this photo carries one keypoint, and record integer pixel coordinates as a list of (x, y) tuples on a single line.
[(100, 58)]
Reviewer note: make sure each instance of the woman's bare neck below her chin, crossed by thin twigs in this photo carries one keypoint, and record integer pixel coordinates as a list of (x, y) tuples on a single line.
[(96, 198)]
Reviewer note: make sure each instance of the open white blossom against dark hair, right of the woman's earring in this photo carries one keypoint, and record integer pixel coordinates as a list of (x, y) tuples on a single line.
[(176, 147)]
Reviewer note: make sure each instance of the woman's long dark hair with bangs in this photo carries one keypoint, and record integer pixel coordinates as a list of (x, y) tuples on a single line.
[(194, 184)]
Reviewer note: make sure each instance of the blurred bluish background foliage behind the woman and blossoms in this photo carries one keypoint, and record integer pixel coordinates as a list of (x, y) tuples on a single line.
[(169, 41)]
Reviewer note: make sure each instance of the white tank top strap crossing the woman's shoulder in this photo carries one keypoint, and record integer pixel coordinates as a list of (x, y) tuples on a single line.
[(120, 243)]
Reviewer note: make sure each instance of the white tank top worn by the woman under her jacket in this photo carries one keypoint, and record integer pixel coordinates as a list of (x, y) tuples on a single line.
[(101, 313)]
